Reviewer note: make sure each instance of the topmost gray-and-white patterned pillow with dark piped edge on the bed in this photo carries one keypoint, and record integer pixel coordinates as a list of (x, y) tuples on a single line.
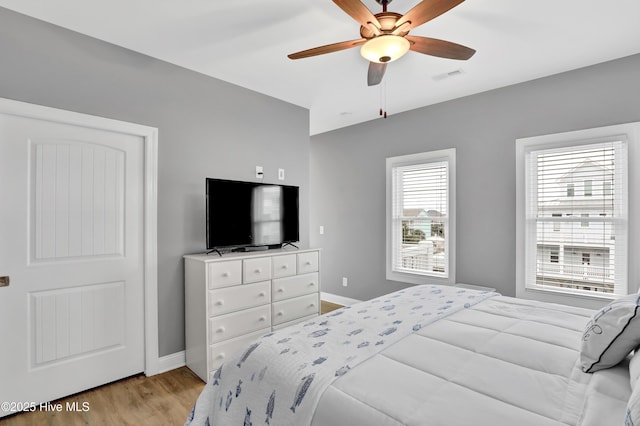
[(611, 334)]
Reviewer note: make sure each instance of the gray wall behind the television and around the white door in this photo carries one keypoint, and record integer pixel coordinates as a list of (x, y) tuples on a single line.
[(206, 128)]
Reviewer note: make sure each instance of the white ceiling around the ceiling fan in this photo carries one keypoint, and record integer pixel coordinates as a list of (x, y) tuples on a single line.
[(246, 42)]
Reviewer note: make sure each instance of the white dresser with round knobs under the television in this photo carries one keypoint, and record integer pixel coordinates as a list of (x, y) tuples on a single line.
[(233, 299)]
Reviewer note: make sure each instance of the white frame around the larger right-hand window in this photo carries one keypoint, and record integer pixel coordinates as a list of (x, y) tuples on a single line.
[(629, 132)]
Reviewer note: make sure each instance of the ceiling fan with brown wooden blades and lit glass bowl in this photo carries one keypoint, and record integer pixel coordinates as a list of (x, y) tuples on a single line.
[(385, 36)]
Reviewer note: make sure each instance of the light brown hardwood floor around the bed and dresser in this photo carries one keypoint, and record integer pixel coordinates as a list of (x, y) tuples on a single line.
[(165, 399)]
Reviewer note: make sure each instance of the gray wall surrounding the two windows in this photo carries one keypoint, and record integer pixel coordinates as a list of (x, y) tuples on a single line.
[(348, 171)]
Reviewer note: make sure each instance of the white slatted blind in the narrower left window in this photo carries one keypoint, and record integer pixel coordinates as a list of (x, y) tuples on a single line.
[(420, 207)]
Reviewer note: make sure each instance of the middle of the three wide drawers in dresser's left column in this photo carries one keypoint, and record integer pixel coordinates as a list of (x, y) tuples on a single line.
[(235, 324)]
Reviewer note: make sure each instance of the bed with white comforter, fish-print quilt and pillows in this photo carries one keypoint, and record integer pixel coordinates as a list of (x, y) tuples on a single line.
[(436, 355)]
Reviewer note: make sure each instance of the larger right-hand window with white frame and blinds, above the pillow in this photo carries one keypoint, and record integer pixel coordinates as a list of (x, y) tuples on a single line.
[(589, 255)]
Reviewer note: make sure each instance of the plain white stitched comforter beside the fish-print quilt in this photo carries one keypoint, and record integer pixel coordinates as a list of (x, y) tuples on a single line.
[(504, 361)]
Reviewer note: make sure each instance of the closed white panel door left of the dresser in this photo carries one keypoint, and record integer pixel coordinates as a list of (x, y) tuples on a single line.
[(71, 243)]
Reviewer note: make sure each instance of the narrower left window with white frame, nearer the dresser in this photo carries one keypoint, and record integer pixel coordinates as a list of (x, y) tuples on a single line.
[(421, 217)]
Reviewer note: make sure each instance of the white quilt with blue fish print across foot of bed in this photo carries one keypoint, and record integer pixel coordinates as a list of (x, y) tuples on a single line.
[(279, 378)]
